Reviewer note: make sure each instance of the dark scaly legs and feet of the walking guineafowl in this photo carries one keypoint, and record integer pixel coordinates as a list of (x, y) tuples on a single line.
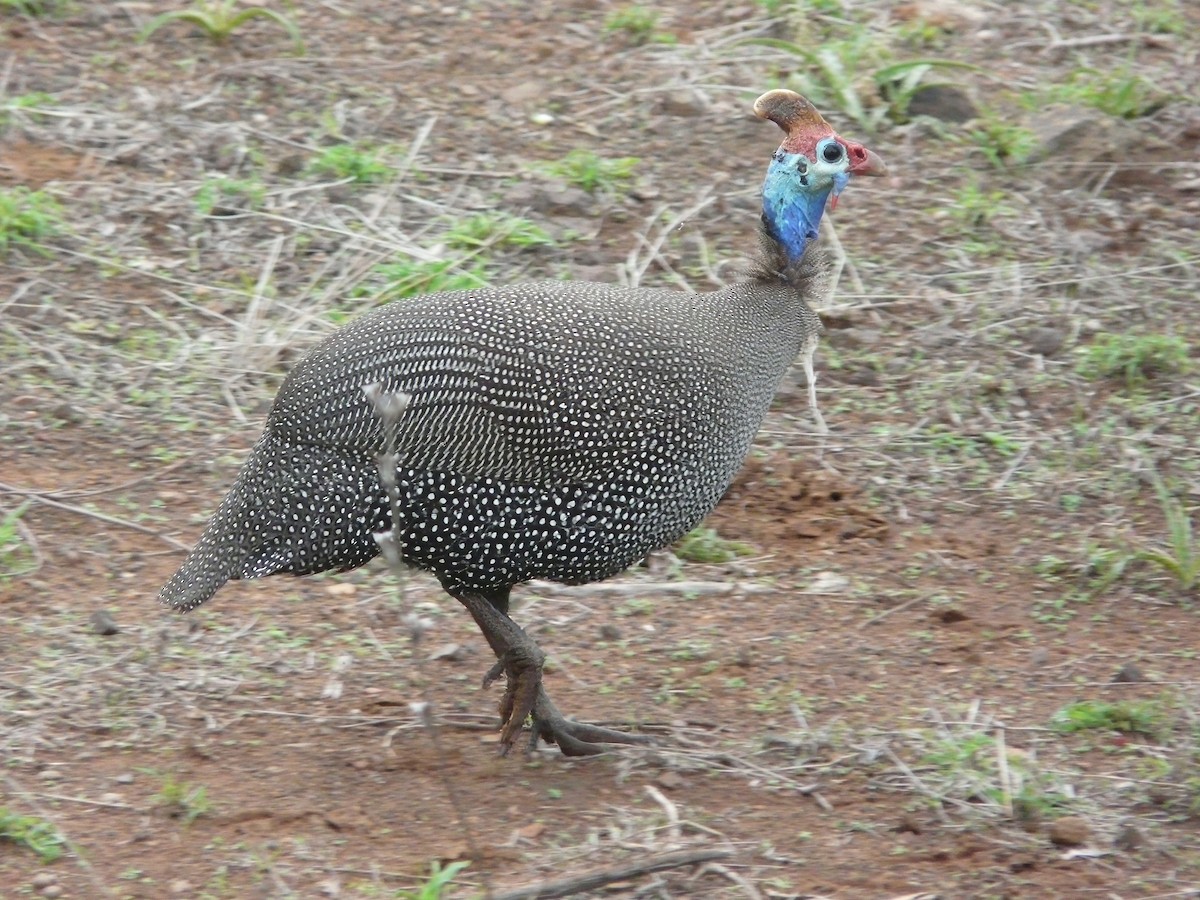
[(520, 661)]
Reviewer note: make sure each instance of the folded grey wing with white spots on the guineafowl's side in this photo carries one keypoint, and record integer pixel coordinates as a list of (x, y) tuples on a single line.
[(484, 404)]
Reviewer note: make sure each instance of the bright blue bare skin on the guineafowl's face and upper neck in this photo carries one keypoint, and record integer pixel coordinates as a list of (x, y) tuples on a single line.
[(794, 200)]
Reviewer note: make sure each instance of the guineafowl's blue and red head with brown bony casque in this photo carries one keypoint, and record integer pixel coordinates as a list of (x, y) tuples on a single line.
[(811, 170)]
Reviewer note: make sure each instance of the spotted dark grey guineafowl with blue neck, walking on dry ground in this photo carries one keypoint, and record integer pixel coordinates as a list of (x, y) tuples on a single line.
[(547, 430)]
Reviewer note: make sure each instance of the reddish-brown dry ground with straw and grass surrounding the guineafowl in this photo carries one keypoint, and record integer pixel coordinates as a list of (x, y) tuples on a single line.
[(869, 705)]
